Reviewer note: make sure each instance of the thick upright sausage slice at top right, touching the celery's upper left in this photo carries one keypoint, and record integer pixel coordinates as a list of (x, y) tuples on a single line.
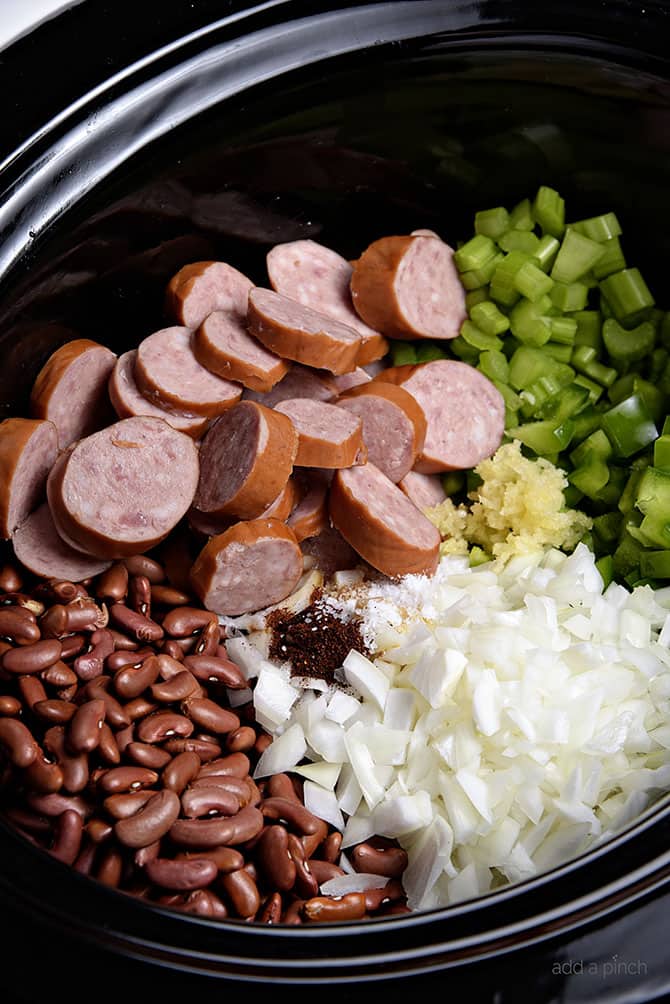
[(409, 288)]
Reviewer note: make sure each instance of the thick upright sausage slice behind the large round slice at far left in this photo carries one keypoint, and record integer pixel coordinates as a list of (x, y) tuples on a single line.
[(72, 390)]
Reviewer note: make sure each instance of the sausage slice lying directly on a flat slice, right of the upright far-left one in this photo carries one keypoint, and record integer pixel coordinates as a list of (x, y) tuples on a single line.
[(169, 375)]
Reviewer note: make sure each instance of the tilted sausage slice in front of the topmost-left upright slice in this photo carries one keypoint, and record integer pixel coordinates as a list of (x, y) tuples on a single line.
[(224, 346)]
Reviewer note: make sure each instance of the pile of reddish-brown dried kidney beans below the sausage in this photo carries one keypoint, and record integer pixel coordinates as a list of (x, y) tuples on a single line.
[(121, 757)]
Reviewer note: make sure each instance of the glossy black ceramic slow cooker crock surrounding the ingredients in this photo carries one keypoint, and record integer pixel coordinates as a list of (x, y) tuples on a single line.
[(138, 137)]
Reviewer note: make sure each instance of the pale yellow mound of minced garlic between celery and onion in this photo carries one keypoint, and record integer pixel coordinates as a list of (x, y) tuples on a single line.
[(519, 508)]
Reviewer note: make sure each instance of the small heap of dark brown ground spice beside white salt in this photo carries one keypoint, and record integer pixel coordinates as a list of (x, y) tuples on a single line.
[(315, 642)]
